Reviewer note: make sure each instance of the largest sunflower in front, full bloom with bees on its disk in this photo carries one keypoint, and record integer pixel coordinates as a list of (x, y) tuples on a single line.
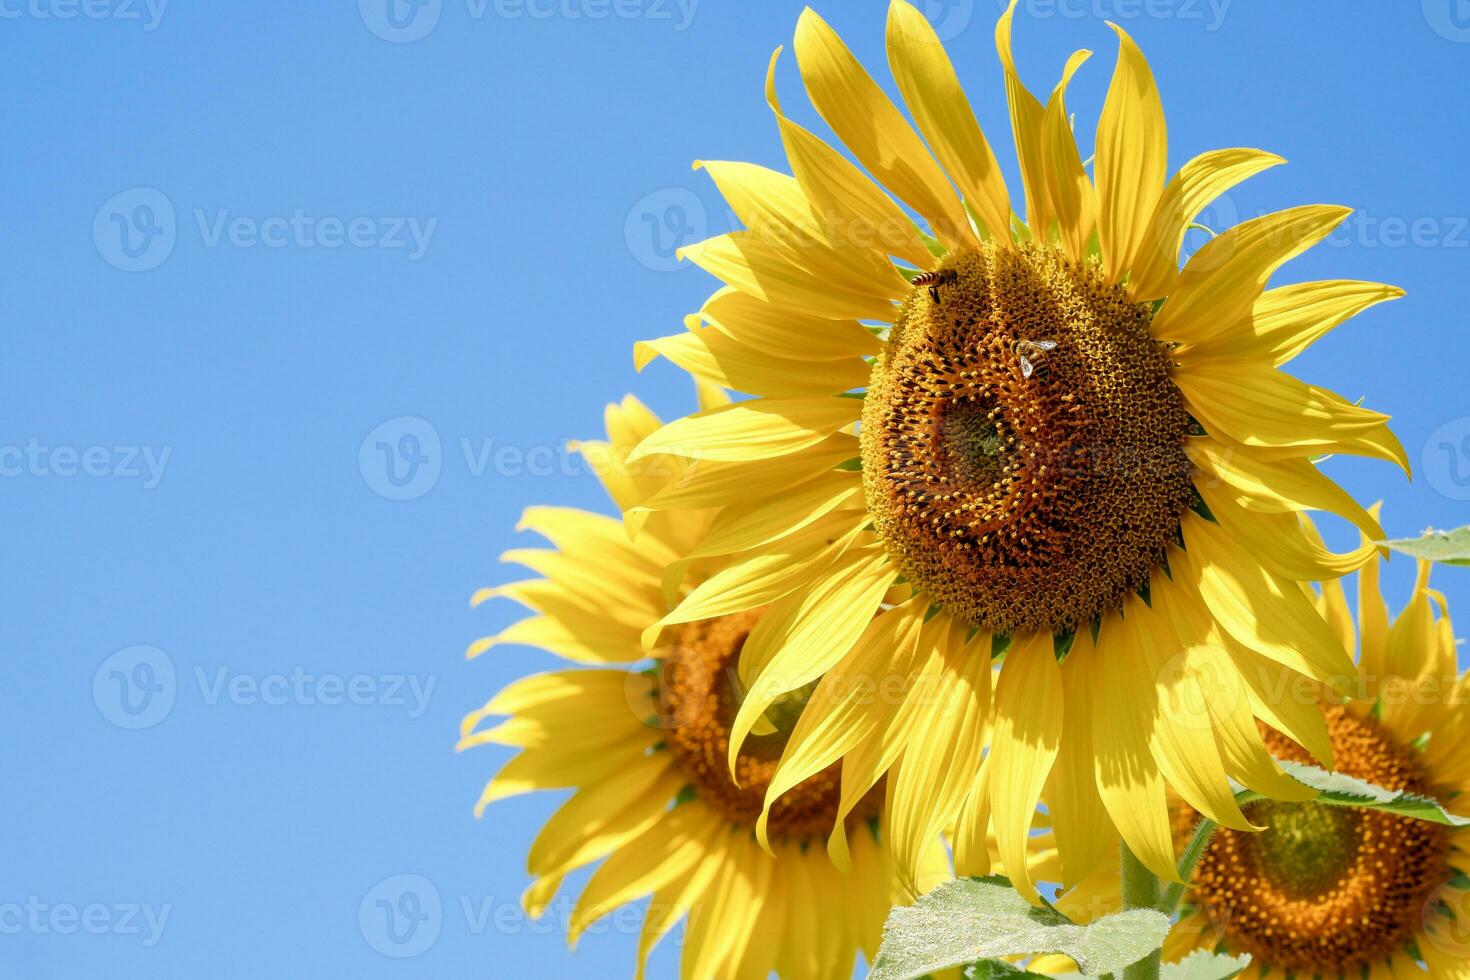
[(1072, 453)]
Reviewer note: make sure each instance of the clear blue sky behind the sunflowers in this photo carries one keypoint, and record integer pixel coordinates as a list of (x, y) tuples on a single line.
[(267, 544)]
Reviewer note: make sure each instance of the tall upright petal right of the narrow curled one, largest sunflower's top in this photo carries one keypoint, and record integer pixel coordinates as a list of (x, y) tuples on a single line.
[(1133, 159)]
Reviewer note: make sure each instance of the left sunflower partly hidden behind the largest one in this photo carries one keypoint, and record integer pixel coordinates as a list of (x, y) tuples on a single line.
[(645, 747)]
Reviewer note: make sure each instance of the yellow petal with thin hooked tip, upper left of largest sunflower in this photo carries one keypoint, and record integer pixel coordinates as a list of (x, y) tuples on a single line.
[(858, 211)]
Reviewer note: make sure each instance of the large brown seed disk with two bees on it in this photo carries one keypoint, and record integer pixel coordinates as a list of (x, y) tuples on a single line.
[(1025, 494)]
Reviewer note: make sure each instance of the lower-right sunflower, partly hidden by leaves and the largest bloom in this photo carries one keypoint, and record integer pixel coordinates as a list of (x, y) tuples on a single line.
[(1333, 893)]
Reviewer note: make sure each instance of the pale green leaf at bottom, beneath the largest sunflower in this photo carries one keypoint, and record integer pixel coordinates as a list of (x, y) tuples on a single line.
[(984, 919)]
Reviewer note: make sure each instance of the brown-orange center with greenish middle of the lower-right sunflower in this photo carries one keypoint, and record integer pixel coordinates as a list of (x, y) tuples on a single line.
[(1328, 890)]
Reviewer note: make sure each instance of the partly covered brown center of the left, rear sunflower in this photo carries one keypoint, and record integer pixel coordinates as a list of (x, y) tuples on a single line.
[(699, 696)]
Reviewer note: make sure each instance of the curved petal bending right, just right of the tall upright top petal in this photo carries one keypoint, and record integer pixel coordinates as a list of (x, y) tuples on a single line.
[(1199, 183)]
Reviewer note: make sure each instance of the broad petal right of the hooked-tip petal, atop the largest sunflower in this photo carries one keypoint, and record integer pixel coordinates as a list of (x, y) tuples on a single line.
[(874, 130)]
